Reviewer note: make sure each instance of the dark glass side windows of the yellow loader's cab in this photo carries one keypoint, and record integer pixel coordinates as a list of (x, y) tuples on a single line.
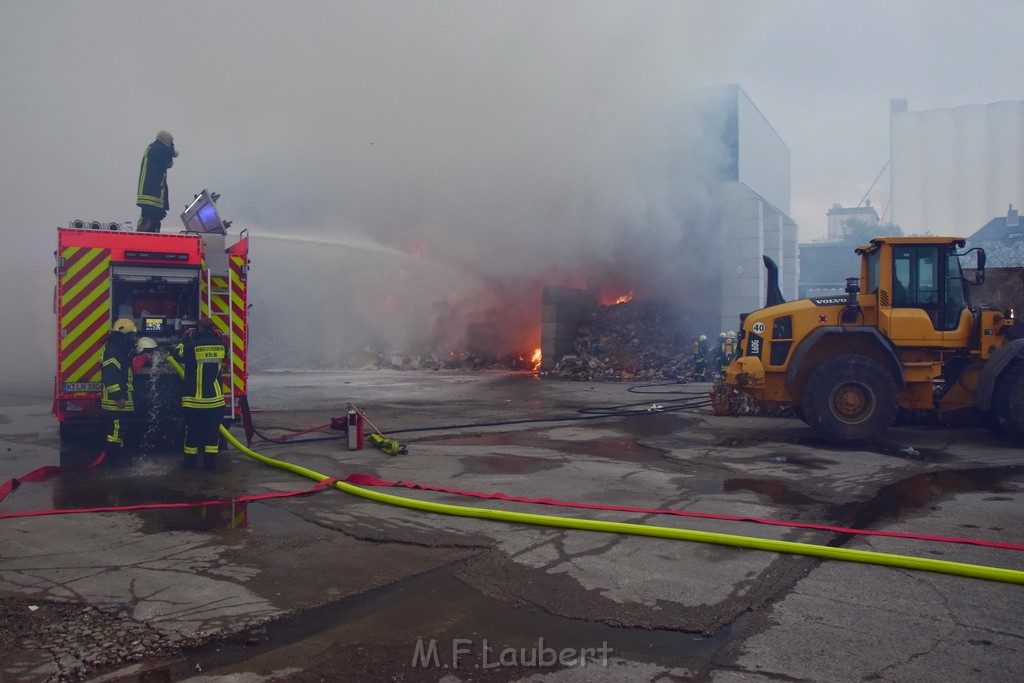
[(923, 278)]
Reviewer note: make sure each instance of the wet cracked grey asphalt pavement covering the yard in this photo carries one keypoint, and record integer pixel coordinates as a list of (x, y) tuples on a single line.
[(328, 586)]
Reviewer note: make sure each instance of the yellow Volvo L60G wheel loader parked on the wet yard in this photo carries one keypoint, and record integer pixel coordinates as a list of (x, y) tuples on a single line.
[(906, 336)]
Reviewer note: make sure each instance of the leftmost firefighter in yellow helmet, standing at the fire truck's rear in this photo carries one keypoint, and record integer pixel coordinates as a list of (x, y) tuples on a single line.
[(117, 402)]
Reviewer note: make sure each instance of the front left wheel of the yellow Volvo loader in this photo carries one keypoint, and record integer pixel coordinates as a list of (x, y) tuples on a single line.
[(850, 400)]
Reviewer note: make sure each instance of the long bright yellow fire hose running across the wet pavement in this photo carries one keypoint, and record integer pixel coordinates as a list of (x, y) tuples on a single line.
[(790, 547)]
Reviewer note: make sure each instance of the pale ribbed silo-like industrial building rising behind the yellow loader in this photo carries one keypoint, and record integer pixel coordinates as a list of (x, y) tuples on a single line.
[(954, 169)]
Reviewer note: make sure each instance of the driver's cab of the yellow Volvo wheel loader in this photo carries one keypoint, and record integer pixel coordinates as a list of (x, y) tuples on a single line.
[(922, 294)]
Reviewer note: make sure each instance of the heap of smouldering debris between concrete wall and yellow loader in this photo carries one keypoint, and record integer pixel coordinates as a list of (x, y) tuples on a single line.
[(632, 340)]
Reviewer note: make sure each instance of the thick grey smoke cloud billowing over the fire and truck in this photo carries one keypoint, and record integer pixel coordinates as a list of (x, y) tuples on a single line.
[(413, 175)]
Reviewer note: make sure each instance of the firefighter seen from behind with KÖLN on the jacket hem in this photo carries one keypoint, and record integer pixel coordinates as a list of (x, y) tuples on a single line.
[(202, 354)]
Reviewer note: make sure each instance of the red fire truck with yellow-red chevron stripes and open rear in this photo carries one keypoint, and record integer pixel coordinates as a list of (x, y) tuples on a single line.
[(164, 283)]
